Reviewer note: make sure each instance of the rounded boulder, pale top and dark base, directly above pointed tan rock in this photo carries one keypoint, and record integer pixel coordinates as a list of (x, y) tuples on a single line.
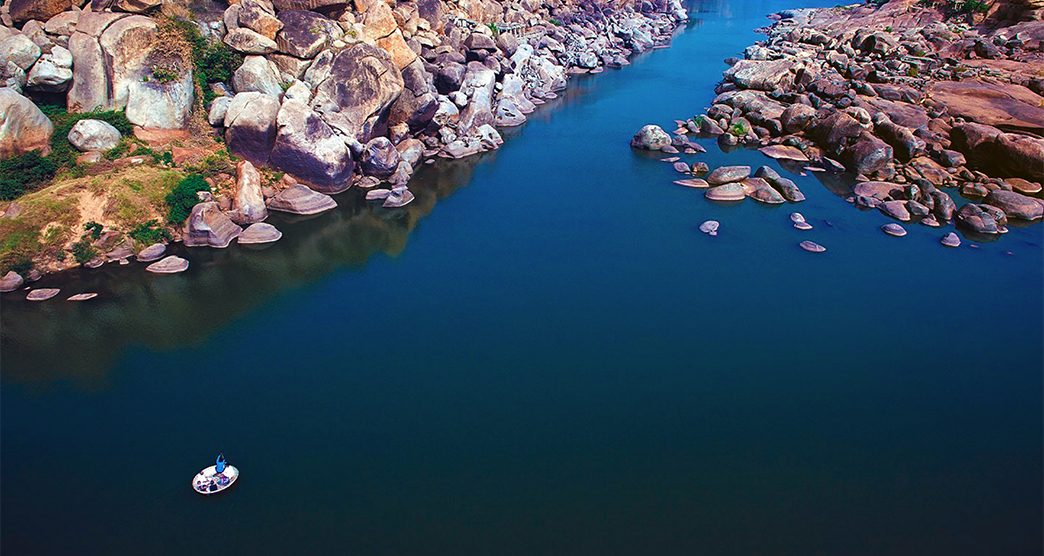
[(250, 126)]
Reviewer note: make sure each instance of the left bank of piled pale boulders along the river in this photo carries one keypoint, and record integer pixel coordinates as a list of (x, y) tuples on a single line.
[(323, 96)]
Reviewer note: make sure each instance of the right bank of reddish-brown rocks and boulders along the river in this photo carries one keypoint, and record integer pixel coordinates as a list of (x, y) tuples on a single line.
[(912, 99)]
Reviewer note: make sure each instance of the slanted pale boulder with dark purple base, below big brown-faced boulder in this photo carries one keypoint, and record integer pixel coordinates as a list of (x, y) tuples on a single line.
[(307, 149)]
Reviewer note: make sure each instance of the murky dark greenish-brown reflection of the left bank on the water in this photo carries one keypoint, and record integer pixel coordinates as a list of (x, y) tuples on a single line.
[(42, 343)]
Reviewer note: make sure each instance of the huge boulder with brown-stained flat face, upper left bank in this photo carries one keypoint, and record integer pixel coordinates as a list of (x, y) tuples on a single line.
[(361, 88)]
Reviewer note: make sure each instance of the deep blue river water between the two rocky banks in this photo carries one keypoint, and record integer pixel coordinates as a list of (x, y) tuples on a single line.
[(543, 356)]
